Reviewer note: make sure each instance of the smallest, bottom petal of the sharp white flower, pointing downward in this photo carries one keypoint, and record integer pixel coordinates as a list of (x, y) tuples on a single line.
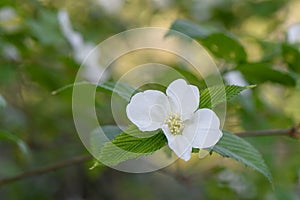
[(181, 145)]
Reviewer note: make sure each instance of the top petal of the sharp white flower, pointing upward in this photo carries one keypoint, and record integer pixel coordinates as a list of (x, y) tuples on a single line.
[(184, 98)]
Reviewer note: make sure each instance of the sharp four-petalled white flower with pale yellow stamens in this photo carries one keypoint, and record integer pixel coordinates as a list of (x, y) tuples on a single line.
[(177, 114)]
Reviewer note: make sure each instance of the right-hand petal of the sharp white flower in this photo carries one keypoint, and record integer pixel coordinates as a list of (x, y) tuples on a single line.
[(203, 130)]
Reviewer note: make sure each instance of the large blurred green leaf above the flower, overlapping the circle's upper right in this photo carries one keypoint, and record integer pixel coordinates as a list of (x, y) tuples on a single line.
[(221, 43)]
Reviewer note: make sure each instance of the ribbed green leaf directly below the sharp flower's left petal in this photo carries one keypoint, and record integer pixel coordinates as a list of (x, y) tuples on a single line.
[(131, 144)]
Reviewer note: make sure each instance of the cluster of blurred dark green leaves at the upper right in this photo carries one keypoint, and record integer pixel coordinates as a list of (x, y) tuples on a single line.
[(226, 46)]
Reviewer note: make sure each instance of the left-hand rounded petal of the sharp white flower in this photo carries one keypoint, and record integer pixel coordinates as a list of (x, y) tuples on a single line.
[(148, 110)]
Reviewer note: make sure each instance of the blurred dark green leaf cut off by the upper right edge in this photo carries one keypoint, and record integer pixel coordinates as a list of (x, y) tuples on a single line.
[(291, 56)]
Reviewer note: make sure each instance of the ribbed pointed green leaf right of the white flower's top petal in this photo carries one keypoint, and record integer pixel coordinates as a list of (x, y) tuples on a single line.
[(212, 96)]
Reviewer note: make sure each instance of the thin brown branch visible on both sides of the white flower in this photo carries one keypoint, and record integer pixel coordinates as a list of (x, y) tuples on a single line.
[(293, 132)]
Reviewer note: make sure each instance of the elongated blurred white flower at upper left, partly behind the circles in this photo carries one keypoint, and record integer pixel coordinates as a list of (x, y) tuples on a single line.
[(84, 52)]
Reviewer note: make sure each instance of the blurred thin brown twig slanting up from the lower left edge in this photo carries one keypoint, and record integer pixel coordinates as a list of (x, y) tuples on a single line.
[(46, 169)]
